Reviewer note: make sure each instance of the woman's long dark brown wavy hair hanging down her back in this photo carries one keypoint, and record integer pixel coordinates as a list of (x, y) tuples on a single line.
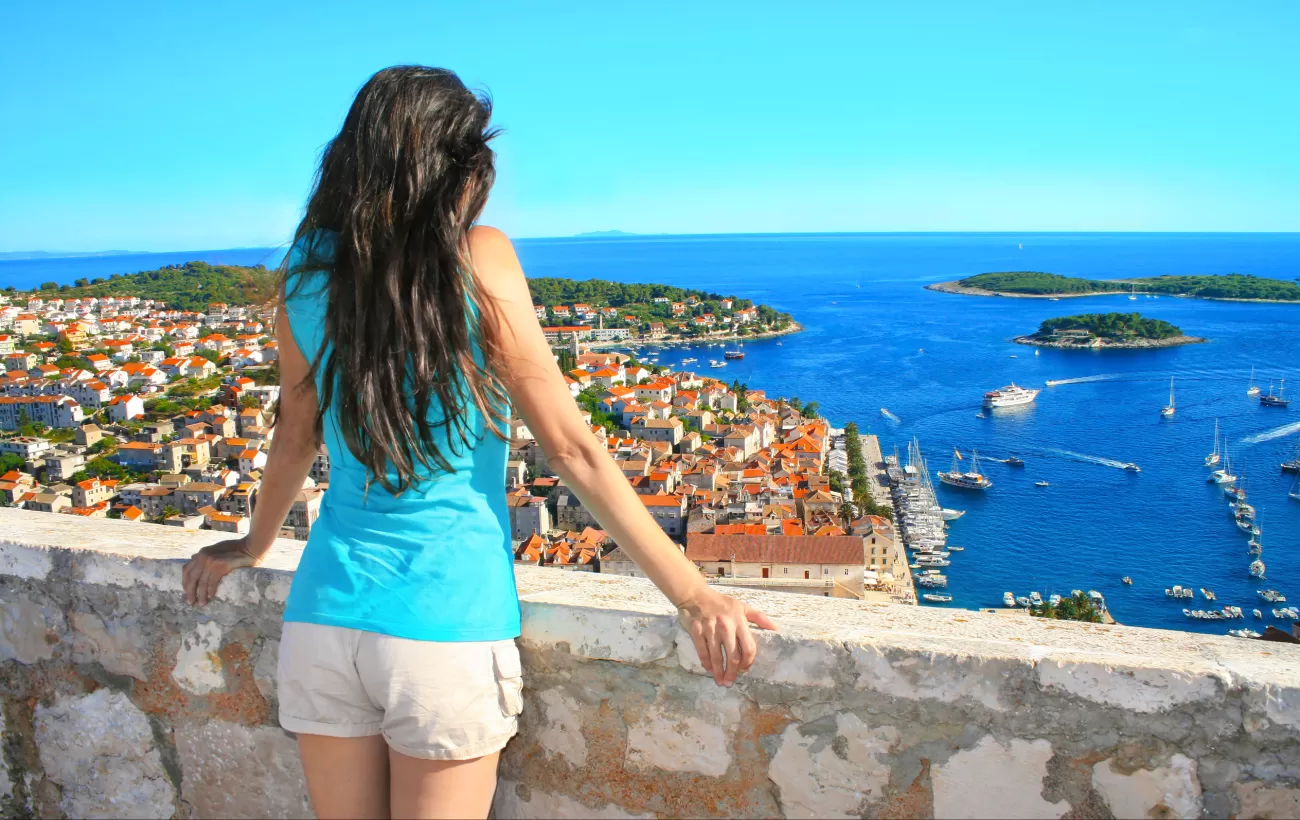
[(398, 192)]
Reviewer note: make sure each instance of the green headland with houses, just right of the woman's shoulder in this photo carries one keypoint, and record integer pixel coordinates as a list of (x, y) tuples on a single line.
[(653, 313)]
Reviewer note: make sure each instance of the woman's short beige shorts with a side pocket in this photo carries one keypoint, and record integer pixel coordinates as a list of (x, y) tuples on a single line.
[(439, 701)]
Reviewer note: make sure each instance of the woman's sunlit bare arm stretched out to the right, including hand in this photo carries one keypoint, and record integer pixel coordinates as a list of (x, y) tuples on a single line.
[(718, 624)]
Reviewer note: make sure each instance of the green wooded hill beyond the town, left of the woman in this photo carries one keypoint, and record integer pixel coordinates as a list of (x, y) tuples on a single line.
[(192, 287)]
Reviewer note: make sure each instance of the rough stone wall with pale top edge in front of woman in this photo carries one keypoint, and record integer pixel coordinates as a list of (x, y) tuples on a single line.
[(120, 701)]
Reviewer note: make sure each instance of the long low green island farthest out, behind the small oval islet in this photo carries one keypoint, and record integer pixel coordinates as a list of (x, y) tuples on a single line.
[(1233, 287)]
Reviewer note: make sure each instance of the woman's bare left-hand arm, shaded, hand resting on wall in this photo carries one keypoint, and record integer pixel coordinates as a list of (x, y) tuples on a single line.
[(292, 455)]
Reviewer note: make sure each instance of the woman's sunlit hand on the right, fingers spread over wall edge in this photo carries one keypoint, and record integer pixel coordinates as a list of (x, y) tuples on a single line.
[(721, 628)]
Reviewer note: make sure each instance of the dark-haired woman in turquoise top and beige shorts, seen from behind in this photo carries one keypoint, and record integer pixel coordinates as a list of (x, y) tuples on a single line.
[(408, 340)]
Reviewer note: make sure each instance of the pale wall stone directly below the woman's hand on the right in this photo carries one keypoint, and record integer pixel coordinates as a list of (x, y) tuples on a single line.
[(679, 736)]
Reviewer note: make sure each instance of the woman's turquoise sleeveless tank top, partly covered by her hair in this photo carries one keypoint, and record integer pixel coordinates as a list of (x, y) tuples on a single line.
[(432, 565)]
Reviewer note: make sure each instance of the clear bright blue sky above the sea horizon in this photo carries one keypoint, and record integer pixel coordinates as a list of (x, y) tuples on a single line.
[(185, 127)]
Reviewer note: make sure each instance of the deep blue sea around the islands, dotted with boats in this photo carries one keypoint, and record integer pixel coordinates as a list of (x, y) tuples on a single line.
[(874, 339)]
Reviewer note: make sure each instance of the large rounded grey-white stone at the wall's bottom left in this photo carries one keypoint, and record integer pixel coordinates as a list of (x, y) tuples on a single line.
[(99, 750)]
